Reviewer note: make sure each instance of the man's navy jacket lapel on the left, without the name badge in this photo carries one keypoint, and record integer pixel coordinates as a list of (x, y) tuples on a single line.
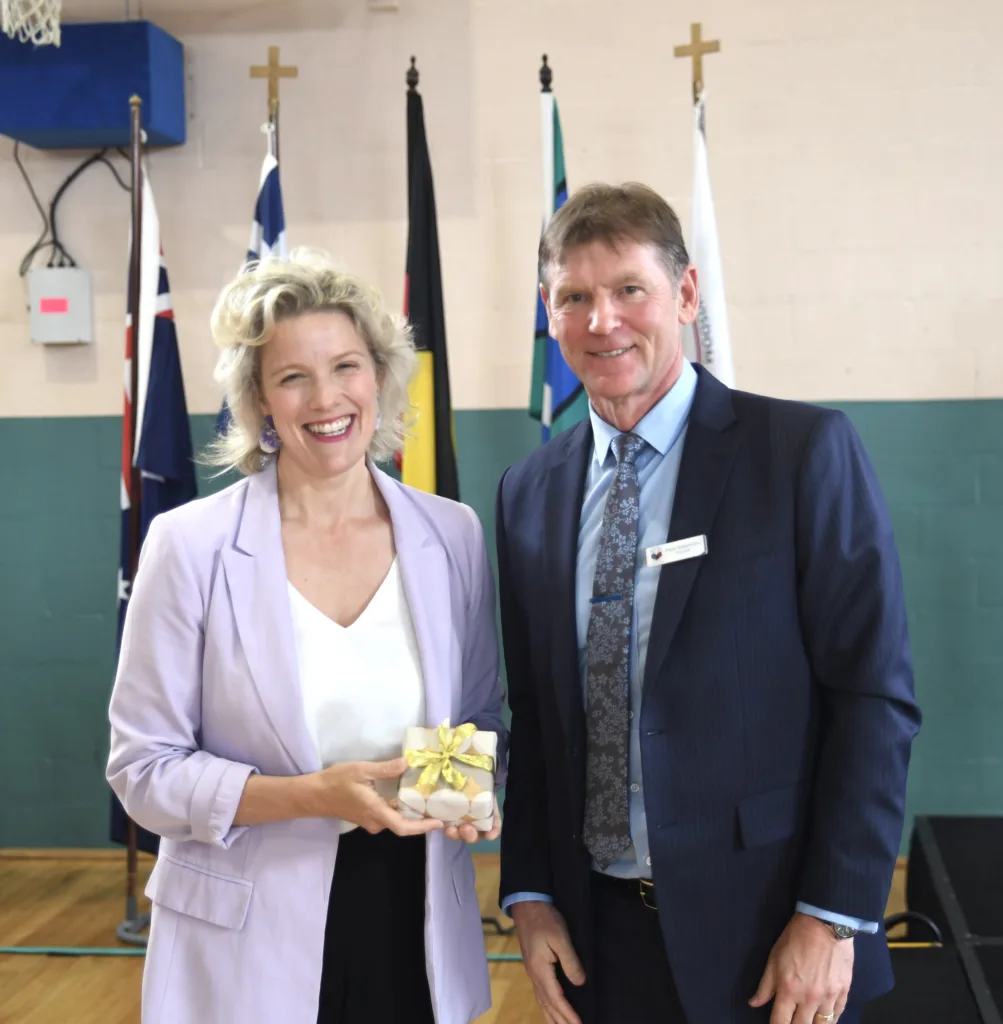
[(566, 487)]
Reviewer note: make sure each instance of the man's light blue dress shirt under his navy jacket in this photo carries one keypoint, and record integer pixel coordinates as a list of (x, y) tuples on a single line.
[(664, 431)]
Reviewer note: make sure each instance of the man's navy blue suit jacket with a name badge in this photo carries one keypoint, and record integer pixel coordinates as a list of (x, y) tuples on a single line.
[(778, 710)]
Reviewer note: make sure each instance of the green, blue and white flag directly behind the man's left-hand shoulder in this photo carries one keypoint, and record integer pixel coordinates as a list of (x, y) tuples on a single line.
[(557, 397)]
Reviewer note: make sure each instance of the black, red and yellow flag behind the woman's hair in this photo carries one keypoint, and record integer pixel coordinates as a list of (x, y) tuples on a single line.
[(430, 454)]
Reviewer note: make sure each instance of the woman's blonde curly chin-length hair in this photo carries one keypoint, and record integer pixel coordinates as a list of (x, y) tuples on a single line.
[(267, 292)]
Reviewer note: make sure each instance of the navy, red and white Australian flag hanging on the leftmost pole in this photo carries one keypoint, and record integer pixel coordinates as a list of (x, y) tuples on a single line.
[(163, 446)]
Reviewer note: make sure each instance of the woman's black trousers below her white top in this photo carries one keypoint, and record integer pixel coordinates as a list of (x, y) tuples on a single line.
[(374, 948)]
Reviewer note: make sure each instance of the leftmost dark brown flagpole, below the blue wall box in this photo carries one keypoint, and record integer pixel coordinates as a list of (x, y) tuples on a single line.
[(136, 483)]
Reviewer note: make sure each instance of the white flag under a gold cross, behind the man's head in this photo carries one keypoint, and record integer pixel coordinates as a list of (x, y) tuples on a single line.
[(707, 340)]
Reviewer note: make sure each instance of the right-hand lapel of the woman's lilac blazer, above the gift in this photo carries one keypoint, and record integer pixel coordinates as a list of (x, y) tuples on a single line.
[(425, 574)]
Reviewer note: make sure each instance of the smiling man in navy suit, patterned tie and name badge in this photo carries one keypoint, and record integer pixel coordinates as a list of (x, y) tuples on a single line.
[(708, 667)]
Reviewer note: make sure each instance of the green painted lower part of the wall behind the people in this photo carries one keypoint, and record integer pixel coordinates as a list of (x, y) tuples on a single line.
[(941, 465)]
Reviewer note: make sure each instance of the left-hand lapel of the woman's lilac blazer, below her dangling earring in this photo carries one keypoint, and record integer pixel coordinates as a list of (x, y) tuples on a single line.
[(256, 569)]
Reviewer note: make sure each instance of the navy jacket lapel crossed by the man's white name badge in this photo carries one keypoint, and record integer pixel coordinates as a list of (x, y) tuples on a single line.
[(707, 457)]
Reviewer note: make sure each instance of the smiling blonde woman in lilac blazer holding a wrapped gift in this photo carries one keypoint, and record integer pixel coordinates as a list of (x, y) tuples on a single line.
[(281, 636)]
